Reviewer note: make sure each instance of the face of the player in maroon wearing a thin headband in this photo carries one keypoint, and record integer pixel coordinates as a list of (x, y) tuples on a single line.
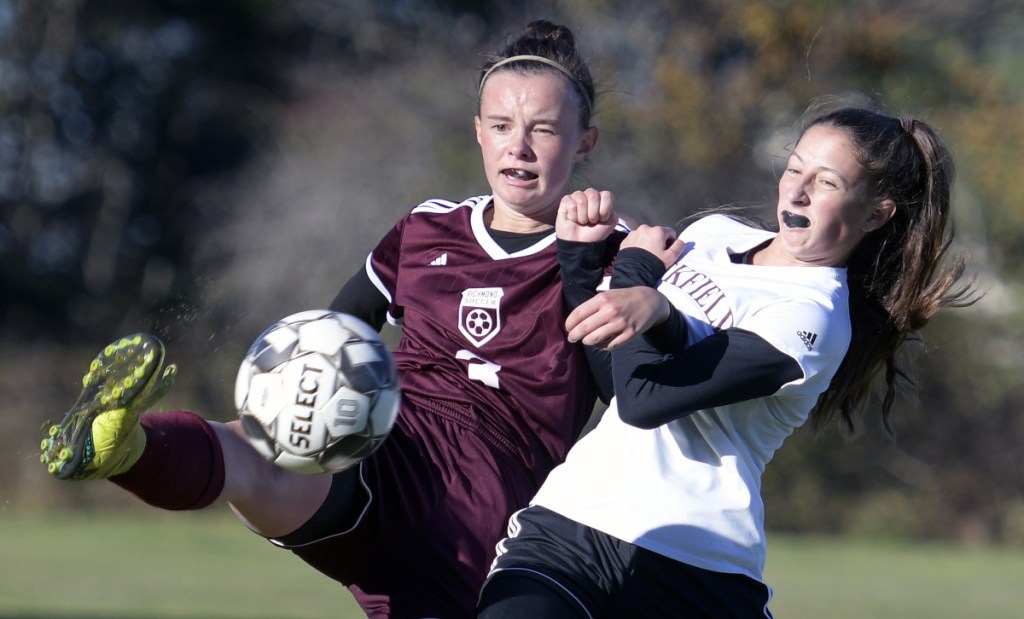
[(530, 137)]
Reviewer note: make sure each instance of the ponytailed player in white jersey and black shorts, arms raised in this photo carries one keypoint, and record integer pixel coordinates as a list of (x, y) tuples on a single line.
[(658, 512)]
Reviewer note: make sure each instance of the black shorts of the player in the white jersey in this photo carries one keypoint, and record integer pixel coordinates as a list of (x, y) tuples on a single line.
[(554, 567)]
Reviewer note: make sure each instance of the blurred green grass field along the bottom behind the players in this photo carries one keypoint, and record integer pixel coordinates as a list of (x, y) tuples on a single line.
[(149, 565)]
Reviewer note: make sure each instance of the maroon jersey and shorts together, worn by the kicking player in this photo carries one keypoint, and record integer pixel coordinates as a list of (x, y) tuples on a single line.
[(493, 397)]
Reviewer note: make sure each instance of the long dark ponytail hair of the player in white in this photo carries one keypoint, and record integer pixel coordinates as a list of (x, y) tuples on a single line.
[(900, 275)]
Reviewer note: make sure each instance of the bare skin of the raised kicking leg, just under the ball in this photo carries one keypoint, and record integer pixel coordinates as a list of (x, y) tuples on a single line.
[(269, 500)]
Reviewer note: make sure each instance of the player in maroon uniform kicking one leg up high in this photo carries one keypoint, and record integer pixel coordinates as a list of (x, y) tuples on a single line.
[(494, 395)]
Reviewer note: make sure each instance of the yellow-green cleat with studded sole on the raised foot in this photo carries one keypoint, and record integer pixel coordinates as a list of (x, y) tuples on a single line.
[(101, 436)]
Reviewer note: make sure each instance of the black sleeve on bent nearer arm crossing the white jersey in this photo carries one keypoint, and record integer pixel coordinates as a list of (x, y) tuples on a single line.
[(733, 365)]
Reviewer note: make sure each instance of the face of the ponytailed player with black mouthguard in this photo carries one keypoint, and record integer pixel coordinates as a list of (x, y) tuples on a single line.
[(825, 208)]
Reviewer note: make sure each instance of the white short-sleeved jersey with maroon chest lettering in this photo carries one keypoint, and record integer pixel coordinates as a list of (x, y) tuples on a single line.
[(691, 489)]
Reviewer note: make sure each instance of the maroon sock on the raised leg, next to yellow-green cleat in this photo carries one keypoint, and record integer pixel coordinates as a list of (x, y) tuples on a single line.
[(183, 466)]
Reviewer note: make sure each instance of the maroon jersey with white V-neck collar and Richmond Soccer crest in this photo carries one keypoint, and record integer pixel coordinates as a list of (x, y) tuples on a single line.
[(485, 327)]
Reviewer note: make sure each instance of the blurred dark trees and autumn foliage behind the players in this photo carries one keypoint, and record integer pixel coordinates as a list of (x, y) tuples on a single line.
[(200, 170)]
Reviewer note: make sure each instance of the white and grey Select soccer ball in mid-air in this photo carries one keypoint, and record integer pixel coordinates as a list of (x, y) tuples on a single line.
[(318, 392)]
